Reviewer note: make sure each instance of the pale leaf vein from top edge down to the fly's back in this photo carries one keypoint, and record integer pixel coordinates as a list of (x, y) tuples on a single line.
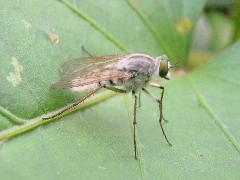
[(95, 25)]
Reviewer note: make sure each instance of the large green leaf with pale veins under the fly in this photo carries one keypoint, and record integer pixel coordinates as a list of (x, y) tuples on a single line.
[(96, 142)]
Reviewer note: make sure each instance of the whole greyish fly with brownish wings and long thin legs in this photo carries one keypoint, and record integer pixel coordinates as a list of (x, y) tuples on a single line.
[(129, 73)]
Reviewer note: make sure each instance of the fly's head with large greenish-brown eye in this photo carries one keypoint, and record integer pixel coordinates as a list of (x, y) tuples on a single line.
[(164, 66)]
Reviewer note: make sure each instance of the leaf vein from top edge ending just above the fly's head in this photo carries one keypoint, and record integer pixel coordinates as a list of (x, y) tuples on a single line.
[(150, 26)]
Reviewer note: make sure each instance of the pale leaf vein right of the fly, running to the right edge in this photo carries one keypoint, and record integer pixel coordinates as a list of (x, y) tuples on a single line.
[(212, 114)]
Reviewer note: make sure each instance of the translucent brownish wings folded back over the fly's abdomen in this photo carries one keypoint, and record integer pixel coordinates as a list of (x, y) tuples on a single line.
[(90, 71)]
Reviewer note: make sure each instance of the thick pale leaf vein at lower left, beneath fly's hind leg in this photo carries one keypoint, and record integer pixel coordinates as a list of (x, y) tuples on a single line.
[(33, 123)]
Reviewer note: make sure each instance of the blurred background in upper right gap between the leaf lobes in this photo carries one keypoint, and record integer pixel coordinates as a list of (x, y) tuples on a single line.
[(217, 28)]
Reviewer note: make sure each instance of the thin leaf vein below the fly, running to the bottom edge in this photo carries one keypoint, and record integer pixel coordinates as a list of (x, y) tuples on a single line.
[(139, 151)]
